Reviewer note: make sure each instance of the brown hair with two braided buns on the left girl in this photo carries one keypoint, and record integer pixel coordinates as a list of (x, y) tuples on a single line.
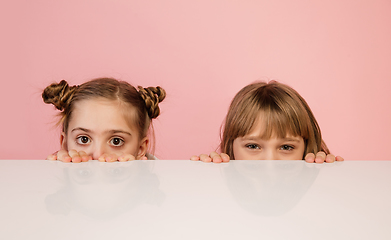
[(145, 101)]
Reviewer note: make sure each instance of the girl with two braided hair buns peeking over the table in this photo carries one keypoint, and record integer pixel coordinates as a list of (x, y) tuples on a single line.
[(104, 119)]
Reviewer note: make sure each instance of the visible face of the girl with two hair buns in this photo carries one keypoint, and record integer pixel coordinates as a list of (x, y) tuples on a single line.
[(99, 126)]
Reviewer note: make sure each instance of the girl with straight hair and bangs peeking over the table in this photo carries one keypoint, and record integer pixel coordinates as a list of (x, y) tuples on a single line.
[(270, 121)]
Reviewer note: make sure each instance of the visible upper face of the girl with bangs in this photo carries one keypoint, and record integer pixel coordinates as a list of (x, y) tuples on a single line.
[(252, 147)]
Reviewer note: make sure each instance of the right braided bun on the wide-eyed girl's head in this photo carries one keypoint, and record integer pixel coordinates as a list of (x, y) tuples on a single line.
[(152, 97)]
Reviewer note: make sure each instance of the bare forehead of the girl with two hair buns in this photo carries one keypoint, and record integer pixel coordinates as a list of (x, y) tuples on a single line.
[(100, 114)]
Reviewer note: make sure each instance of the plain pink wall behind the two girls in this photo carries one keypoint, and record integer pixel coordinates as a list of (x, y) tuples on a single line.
[(337, 54)]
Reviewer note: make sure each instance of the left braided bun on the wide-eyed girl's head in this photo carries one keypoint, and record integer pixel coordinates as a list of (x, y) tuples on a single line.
[(58, 94)]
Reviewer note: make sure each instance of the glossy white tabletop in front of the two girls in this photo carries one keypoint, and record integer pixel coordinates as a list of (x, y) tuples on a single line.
[(194, 200)]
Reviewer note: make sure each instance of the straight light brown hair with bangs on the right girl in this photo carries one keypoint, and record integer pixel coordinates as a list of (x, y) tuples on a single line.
[(283, 111)]
